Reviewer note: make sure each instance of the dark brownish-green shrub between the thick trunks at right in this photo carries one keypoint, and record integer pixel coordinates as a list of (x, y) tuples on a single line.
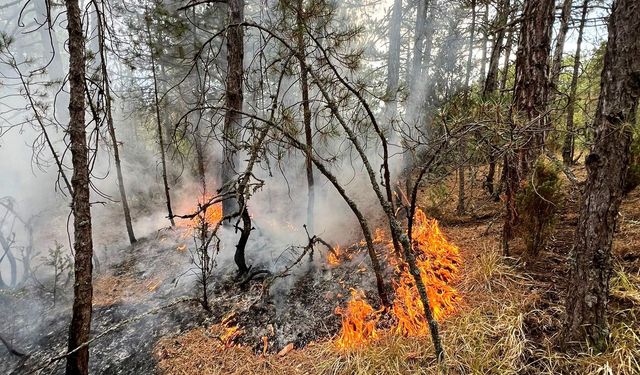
[(538, 203)]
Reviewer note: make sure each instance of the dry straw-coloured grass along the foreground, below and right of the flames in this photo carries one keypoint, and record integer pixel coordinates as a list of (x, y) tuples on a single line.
[(486, 336)]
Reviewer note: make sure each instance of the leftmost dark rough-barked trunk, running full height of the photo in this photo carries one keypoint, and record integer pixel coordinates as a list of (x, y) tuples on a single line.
[(79, 329)]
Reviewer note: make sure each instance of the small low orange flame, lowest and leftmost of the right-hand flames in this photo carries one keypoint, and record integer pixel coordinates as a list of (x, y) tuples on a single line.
[(359, 322)]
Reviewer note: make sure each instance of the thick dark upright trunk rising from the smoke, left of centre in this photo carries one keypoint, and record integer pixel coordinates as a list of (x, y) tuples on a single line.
[(233, 99)]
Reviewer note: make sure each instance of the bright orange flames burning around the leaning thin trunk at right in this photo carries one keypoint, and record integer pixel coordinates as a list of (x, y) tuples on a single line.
[(438, 262)]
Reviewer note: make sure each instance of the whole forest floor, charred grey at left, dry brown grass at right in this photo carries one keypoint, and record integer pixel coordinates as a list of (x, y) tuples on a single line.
[(507, 321)]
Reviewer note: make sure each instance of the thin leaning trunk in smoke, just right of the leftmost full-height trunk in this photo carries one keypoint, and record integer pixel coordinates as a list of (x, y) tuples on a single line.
[(111, 128)]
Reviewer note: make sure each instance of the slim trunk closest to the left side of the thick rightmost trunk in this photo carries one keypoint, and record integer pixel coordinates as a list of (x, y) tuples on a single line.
[(569, 138)]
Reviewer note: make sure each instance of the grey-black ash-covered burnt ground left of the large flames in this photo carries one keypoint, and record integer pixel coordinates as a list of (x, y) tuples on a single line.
[(135, 284)]
